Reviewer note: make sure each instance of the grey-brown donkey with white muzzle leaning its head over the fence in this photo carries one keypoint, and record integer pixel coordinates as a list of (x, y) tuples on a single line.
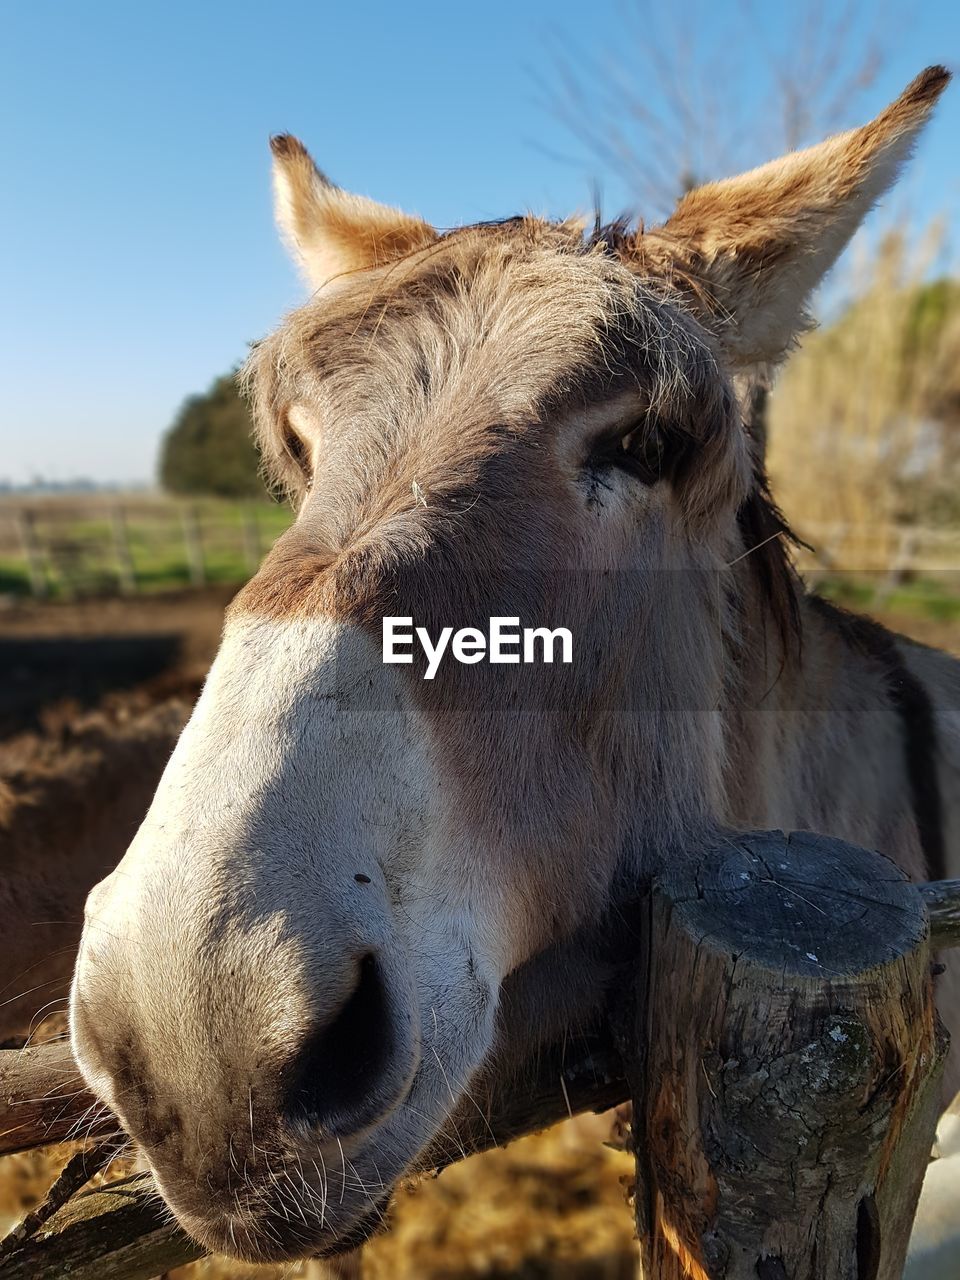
[(289, 984)]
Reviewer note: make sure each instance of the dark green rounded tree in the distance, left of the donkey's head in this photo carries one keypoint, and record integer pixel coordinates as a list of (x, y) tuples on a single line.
[(209, 449)]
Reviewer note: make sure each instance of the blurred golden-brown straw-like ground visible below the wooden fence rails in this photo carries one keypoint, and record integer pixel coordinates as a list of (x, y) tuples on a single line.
[(548, 1208)]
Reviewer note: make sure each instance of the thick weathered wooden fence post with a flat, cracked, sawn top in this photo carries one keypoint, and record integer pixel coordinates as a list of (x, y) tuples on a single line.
[(788, 1098)]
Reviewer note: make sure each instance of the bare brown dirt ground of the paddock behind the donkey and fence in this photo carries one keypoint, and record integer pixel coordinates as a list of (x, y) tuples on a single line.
[(551, 1206)]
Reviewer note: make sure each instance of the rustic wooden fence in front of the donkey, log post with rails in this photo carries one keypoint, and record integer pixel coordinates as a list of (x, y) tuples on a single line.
[(767, 1005)]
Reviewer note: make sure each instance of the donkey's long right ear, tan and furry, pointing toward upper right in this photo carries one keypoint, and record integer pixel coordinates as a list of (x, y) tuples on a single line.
[(753, 249)]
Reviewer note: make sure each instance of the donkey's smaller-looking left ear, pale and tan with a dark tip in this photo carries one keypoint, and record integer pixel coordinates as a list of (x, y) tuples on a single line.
[(331, 232)]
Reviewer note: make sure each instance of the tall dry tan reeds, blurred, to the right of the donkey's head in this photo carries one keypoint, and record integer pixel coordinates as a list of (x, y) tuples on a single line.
[(861, 440)]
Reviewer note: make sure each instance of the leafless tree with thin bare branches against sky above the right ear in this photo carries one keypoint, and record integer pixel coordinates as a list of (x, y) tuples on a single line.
[(664, 106)]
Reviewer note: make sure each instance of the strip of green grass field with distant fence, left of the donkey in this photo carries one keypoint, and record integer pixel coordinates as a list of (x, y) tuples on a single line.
[(70, 547)]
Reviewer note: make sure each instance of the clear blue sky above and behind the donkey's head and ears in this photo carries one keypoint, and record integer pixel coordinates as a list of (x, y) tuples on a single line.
[(138, 249)]
